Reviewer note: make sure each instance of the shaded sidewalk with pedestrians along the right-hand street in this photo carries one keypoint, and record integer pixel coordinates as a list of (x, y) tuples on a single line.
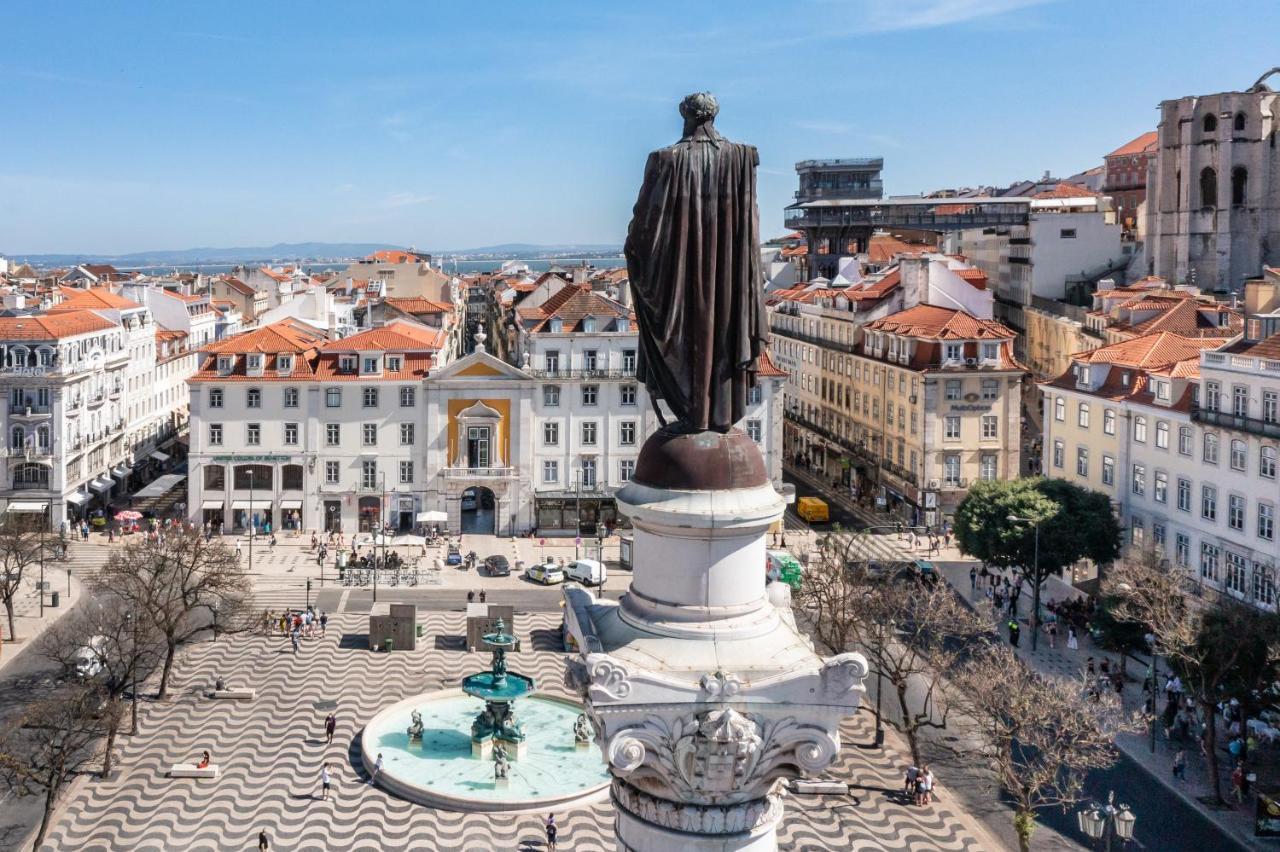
[(1069, 665)]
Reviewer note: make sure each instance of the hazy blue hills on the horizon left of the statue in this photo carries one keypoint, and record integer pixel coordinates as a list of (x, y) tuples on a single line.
[(282, 253)]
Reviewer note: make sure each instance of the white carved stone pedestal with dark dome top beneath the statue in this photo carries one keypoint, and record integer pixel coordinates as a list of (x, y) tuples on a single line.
[(703, 690)]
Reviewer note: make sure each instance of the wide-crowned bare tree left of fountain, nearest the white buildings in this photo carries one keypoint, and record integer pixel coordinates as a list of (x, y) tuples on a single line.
[(180, 585)]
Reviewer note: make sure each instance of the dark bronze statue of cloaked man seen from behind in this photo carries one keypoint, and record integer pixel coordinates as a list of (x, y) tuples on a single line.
[(694, 262)]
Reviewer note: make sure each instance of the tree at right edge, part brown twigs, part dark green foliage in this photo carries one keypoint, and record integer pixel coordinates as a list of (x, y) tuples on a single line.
[(1219, 647)]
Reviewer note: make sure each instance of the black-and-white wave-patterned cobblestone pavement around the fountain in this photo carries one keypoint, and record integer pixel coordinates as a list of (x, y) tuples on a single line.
[(271, 752)]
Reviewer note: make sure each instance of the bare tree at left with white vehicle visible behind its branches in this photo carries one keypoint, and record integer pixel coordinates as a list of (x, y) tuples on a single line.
[(104, 643)]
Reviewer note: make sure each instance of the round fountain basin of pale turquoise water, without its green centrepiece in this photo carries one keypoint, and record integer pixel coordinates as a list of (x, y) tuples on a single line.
[(441, 772)]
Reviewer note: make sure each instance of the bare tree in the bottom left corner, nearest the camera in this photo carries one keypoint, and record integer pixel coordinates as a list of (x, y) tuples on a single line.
[(57, 738)]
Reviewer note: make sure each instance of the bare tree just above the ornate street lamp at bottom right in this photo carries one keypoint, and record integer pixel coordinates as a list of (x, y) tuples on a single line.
[(1040, 736)]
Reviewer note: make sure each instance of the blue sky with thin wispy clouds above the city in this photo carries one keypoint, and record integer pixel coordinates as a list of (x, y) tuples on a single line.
[(157, 126)]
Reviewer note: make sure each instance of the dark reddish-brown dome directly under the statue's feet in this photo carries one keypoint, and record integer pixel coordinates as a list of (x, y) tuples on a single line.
[(683, 460)]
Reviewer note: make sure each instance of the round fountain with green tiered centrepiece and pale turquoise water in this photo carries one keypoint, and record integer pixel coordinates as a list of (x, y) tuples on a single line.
[(451, 757)]
